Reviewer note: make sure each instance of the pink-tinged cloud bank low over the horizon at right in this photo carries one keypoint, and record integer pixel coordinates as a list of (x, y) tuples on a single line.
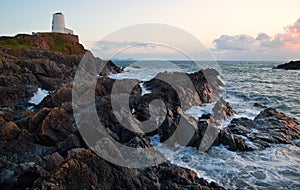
[(289, 39)]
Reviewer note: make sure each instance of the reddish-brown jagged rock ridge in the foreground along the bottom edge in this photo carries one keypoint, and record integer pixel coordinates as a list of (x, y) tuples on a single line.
[(84, 169)]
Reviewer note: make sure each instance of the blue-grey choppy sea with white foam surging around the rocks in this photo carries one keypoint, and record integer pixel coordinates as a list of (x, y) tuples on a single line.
[(277, 167)]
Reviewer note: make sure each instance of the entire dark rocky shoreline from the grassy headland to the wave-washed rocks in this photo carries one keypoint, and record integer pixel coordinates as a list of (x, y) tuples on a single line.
[(42, 148)]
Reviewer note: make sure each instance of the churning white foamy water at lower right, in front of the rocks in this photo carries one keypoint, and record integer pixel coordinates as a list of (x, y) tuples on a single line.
[(247, 170)]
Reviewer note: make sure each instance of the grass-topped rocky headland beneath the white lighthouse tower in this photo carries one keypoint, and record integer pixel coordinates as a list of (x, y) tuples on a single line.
[(43, 60)]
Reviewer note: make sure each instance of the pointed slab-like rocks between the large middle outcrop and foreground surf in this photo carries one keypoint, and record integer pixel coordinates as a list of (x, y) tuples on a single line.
[(205, 126)]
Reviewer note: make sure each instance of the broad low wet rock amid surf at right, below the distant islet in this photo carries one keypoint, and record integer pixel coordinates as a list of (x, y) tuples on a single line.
[(269, 127)]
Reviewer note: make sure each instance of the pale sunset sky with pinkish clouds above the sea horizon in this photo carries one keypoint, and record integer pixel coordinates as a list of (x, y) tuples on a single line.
[(231, 29)]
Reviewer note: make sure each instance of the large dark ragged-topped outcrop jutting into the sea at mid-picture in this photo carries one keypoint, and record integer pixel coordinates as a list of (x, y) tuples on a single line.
[(194, 89)]
